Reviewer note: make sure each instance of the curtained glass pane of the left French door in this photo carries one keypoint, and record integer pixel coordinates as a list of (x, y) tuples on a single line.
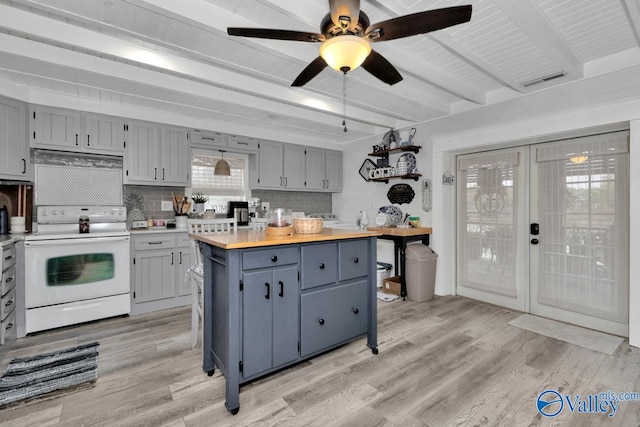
[(487, 238)]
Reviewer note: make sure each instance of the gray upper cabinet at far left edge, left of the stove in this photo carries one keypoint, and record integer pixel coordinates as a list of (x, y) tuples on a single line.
[(14, 149)]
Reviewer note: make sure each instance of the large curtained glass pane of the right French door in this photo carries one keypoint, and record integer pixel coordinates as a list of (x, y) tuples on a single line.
[(584, 238)]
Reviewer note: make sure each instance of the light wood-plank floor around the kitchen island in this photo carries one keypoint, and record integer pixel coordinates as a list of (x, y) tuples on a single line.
[(449, 361)]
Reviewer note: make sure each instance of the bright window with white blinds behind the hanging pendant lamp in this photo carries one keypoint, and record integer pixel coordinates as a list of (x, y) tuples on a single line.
[(219, 189)]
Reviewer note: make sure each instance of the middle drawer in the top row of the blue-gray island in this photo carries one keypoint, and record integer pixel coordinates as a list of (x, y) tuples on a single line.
[(319, 265)]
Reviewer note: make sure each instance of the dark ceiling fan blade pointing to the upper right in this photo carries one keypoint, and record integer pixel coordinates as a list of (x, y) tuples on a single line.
[(418, 23)]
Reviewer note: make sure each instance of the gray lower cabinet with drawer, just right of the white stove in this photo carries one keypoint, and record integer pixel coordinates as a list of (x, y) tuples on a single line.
[(158, 264)]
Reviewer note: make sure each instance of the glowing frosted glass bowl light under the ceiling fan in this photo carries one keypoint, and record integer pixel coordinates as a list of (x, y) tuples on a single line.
[(345, 52)]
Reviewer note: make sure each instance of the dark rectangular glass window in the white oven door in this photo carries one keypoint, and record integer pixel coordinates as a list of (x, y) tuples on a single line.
[(79, 269)]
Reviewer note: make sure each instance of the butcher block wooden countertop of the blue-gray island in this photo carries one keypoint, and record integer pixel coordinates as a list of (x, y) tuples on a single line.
[(253, 239)]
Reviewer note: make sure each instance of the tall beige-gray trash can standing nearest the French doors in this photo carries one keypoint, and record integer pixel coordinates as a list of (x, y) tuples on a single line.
[(420, 276)]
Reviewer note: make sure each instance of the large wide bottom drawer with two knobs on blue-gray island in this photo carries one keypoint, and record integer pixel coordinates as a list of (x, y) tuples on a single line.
[(332, 315)]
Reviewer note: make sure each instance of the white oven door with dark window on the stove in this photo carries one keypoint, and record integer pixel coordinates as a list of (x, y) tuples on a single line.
[(65, 270)]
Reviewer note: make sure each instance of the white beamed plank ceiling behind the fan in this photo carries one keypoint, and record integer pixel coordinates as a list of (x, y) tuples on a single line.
[(174, 59)]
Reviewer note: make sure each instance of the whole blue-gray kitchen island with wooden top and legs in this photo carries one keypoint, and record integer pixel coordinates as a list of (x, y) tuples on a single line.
[(272, 301)]
